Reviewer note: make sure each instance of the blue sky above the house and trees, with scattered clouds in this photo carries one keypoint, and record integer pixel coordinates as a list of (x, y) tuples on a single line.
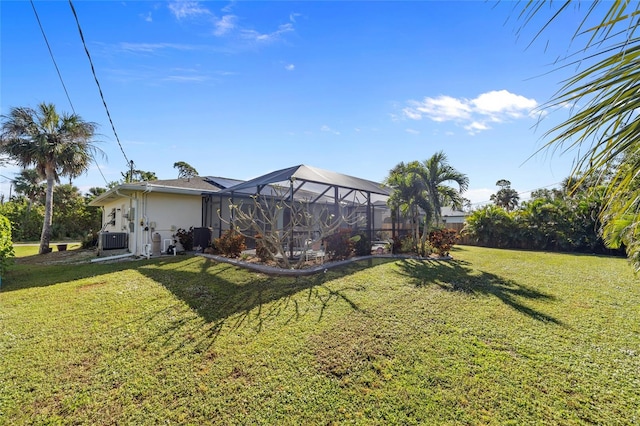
[(238, 89)]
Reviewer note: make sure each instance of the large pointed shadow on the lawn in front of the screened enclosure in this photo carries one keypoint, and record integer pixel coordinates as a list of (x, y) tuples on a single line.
[(225, 295)]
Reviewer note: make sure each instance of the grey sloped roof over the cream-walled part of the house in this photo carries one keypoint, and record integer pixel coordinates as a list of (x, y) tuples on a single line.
[(195, 185)]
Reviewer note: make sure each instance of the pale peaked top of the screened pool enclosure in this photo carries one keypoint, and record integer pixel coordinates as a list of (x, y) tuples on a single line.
[(314, 180)]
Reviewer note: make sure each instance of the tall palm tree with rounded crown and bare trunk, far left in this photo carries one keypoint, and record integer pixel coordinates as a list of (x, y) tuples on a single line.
[(55, 145)]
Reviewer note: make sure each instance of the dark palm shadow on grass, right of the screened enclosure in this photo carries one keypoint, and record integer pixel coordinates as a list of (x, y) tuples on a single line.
[(458, 276)]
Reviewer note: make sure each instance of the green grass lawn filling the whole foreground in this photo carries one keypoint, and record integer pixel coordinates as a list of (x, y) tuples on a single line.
[(493, 337)]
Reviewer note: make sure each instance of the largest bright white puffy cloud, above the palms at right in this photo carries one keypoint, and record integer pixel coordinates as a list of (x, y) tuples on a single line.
[(473, 114)]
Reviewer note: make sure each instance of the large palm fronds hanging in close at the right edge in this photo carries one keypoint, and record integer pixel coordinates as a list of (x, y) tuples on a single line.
[(605, 125)]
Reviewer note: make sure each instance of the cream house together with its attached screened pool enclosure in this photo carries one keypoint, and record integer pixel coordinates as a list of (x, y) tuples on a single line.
[(139, 216)]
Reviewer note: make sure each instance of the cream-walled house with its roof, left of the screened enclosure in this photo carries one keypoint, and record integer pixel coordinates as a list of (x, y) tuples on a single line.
[(135, 215)]
